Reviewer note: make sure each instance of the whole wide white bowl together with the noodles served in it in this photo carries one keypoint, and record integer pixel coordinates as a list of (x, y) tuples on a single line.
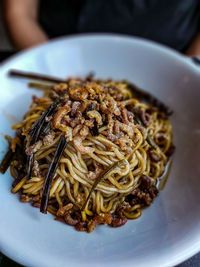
[(89, 126)]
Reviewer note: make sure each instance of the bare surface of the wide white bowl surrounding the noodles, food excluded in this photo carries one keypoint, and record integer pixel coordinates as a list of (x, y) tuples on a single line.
[(169, 231)]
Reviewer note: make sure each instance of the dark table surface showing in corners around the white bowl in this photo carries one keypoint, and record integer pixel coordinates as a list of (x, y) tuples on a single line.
[(6, 262)]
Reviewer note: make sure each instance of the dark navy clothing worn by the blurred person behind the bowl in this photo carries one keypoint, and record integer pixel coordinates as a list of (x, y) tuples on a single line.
[(170, 22)]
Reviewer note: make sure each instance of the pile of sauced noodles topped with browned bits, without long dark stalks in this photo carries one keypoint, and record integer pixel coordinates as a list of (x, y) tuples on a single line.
[(111, 136)]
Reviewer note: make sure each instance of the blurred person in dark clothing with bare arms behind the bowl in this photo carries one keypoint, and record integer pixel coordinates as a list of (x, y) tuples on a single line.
[(175, 23)]
